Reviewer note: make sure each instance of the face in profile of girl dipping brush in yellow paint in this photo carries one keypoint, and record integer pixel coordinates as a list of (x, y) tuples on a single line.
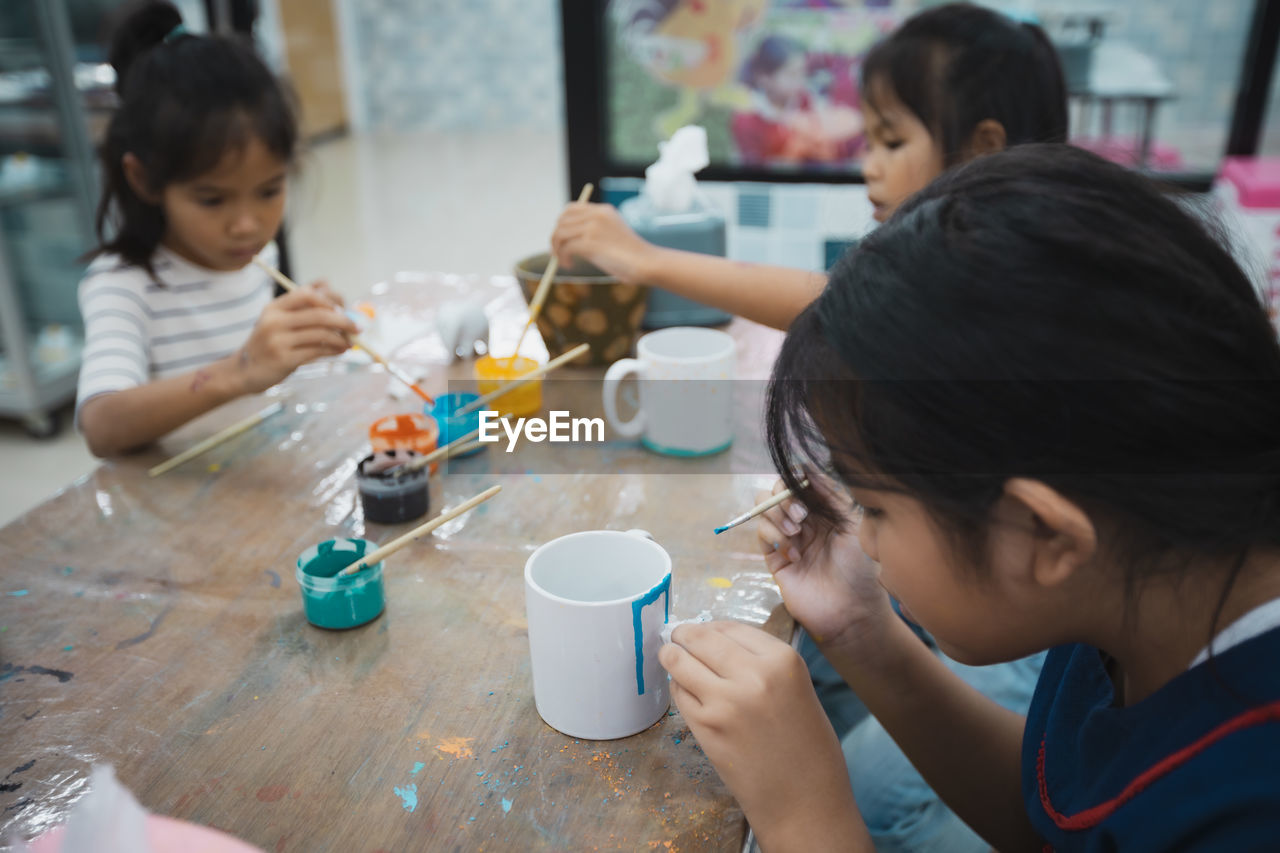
[(902, 156)]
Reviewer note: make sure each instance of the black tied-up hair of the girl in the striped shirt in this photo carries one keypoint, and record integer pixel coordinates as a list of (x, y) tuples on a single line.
[(185, 103)]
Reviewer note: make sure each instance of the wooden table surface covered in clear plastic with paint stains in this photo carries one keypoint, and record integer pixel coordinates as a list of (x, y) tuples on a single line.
[(157, 626)]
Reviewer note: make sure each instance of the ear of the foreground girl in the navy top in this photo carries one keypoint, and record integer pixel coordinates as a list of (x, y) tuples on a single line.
[(1066, 539)]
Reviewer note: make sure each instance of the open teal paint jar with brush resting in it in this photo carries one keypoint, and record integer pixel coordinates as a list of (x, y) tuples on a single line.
[(336, 603)]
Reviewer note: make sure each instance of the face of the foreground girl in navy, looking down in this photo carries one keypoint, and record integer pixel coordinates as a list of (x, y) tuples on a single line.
[(975, 615)]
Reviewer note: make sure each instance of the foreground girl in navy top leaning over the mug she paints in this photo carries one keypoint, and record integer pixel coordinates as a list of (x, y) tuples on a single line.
[(1053, 398)]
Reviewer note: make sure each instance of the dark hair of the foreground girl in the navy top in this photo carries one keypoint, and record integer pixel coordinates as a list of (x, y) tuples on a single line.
[(1043, 313)]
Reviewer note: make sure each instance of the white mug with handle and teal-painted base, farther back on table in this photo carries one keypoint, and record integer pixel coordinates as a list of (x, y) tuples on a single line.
[(687, 393)]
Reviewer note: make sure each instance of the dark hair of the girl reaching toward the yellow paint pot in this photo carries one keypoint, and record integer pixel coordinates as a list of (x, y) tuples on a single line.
[(959, 65)]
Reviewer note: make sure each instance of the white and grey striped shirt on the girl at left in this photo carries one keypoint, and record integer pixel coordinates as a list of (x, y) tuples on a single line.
[(139, 329)]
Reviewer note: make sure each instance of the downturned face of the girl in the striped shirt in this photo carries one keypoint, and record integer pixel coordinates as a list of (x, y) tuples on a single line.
[(222, 220)]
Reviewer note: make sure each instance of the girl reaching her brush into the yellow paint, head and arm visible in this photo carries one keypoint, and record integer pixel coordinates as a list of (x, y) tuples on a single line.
[(952, 84)]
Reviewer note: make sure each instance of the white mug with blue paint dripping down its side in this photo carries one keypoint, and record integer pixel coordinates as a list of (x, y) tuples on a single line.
[(597, 604)]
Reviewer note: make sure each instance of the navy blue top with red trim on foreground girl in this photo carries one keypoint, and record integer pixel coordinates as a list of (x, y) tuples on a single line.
[(1195, 767)]
